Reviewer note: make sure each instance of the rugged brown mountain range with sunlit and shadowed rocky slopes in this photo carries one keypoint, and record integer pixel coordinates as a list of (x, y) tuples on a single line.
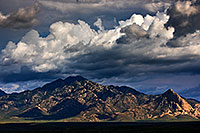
[(78, 99)]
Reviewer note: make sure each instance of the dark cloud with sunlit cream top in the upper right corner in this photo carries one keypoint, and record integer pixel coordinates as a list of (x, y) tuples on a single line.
[(184, 17)]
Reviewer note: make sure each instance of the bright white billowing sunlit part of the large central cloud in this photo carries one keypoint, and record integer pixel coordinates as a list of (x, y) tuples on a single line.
[(67, 40)]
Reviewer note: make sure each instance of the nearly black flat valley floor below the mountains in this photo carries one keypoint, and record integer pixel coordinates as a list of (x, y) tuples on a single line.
[(136, 127)]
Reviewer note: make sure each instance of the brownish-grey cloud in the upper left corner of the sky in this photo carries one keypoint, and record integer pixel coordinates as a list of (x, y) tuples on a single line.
[(20, 19)]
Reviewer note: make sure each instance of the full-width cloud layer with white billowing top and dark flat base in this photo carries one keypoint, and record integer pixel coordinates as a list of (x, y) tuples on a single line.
[(138, 47)]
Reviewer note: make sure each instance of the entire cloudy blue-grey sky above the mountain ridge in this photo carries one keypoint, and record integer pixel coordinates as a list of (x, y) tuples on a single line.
[(150, 45)]
